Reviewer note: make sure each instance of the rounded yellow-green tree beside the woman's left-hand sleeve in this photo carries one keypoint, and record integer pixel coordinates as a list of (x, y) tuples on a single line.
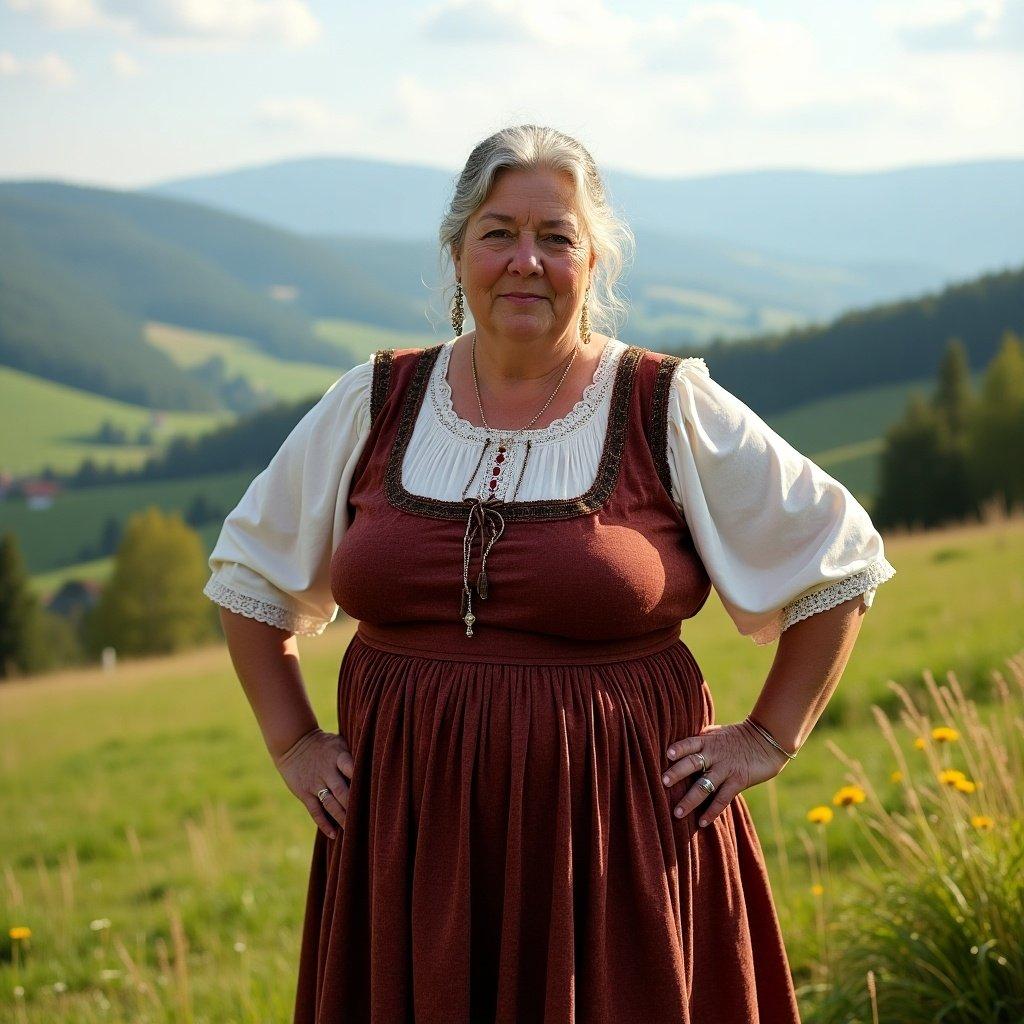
[(154, 603)]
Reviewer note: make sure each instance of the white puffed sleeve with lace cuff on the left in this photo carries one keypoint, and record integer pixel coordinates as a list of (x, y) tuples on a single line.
[(273, 559)]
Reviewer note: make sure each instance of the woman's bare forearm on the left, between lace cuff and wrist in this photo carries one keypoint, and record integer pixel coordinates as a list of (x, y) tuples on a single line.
[(267, 662)]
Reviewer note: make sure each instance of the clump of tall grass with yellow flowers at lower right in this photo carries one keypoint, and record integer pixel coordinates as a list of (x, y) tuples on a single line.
[(930, 926)]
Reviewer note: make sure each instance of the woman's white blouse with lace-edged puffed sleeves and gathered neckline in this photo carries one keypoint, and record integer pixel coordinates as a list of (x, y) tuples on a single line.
[(781, 539)]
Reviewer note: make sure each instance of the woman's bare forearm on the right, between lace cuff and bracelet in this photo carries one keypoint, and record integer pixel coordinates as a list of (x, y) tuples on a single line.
[(809, 662)]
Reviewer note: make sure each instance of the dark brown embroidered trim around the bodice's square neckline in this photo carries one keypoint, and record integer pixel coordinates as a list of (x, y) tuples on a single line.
[(545, 508)]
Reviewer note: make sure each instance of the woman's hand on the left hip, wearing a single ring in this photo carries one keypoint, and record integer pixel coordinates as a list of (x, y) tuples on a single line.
[(317, 760)]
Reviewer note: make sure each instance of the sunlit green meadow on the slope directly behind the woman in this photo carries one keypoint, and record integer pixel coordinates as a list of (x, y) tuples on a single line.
[(160, 863)]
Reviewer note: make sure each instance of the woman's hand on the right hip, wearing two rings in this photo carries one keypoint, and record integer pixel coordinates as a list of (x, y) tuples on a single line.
[(738, 757)]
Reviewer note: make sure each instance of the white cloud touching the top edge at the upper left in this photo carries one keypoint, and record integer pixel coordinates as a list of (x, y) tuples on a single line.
[(214, 24)]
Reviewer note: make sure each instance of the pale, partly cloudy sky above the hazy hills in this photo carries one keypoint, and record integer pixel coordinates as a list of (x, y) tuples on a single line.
[(122, 94)]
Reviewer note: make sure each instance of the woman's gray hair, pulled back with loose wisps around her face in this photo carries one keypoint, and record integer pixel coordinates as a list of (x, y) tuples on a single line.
[(529, 148)]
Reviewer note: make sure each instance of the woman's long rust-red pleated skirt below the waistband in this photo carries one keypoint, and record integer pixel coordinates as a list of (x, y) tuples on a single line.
[(510, 854)]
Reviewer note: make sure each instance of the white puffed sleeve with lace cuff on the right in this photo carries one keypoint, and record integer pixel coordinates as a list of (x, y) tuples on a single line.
[(781, 539)]
